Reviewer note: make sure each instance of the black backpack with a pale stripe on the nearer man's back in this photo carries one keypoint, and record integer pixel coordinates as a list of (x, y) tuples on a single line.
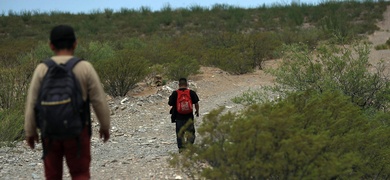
[(60, 109)]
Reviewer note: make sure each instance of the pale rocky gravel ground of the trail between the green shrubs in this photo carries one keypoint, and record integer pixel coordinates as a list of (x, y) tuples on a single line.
[(143, 136)]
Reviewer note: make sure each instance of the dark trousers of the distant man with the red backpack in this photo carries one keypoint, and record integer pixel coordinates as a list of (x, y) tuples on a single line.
[(185, 131)]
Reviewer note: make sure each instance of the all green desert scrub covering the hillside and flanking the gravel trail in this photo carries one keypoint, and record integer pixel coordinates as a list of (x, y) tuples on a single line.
[(325, 118)]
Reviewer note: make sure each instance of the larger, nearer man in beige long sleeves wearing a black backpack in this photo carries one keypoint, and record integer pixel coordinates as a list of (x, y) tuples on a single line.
[(65, 125)]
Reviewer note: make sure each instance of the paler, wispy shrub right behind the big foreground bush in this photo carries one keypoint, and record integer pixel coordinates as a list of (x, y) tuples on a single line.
[(330, 68)]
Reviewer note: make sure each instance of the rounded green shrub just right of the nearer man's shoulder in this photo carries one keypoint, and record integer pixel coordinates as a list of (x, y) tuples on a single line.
[(122, 72)]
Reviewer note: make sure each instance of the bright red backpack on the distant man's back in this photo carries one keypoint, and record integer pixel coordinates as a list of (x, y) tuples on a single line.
[(184, 102)]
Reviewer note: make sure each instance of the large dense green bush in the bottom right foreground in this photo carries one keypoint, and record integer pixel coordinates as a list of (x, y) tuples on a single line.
[(307, 135)]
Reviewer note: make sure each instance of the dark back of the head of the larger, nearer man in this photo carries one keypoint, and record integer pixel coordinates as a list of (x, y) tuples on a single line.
[(62, 37)]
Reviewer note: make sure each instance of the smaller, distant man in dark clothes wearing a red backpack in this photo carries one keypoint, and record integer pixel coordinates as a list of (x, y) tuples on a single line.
[(182, 101)]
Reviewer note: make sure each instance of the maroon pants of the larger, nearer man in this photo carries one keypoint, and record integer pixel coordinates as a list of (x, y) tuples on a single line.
[(77, 156)]
